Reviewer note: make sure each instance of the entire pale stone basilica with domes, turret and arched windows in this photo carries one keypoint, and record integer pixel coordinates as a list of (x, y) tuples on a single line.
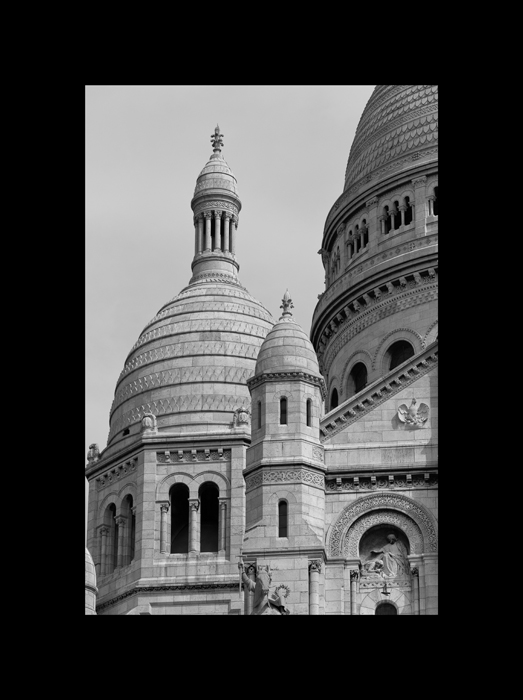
[(254, 468)]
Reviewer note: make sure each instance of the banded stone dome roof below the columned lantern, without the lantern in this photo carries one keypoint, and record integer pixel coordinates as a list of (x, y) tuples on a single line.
[(190, 365)]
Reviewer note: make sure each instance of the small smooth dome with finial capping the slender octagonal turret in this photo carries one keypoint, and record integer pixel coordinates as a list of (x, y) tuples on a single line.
[(287, 347)]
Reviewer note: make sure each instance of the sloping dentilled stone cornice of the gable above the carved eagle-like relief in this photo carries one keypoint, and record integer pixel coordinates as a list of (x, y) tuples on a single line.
[(378, 392)]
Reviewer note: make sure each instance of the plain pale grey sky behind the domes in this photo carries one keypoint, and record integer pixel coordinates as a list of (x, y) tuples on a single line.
[(145, 146)]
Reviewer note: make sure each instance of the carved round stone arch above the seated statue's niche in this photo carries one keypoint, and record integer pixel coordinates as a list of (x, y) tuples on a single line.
[(383, 502)]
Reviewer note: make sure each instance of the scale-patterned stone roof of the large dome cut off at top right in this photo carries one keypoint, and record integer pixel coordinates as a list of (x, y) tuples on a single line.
[(398, 121)]
